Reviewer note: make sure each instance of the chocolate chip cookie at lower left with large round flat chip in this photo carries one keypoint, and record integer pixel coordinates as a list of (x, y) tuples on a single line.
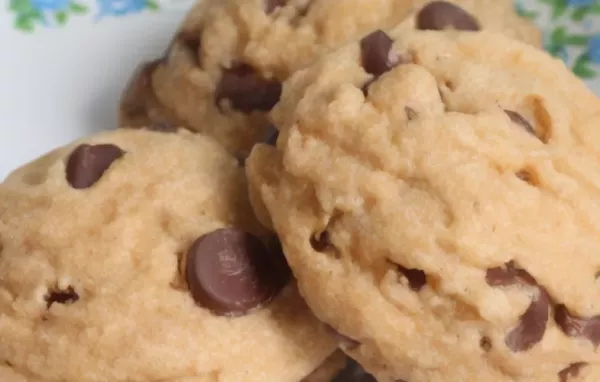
[(134, 255)]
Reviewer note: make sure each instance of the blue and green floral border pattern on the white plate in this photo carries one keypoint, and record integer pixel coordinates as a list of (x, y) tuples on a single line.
[(571, 27)]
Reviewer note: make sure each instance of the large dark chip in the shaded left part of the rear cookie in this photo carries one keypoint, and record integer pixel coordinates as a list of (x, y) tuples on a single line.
[(246, 90)]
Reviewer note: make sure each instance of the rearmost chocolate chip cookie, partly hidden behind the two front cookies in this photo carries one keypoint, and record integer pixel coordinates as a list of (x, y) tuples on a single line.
[(223, 71)]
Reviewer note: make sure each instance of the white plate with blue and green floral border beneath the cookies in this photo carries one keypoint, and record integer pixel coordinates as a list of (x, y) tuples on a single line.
[(64, 62)]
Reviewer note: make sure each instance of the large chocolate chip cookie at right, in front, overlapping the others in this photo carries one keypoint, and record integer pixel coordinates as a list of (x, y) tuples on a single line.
[(436, 197)]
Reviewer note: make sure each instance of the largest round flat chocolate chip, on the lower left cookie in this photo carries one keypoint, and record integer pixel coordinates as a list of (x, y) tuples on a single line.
[(230, 272)]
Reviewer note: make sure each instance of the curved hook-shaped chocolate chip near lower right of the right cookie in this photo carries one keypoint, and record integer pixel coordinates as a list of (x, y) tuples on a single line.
[(532, 323)]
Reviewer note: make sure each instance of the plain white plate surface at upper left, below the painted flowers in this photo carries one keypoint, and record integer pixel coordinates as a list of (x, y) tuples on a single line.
[(58, 83)]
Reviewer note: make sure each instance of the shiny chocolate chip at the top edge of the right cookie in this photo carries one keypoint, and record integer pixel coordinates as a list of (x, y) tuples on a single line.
[(377, 54)]
